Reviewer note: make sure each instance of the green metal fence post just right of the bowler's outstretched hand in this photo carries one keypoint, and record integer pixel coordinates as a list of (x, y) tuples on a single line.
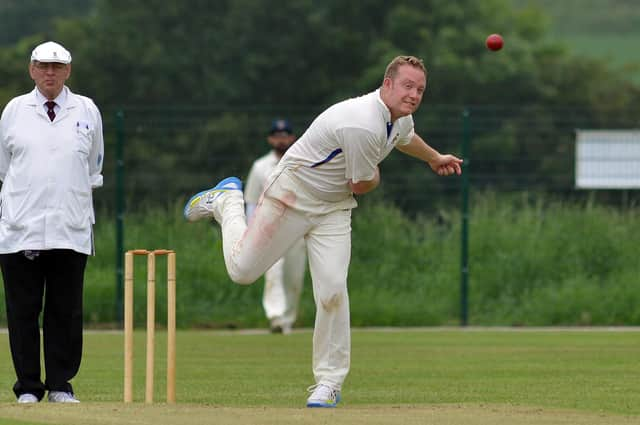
[(464, 245)]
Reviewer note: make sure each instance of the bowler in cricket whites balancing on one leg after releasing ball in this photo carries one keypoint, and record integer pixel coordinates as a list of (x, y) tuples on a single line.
[(310, 194)]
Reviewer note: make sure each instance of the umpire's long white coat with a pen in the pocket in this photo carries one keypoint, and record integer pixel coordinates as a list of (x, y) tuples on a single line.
[(48, 170)]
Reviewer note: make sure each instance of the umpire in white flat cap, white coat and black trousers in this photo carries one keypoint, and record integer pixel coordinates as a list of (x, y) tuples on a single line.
[(51, 153)]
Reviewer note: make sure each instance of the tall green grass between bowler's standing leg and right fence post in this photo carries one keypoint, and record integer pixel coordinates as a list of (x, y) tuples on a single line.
[(398, 263)]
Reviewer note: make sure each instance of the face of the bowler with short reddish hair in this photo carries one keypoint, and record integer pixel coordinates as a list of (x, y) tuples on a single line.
[(405, 90)]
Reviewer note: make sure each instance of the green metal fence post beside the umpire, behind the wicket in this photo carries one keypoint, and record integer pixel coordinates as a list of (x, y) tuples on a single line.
[(119, 215)]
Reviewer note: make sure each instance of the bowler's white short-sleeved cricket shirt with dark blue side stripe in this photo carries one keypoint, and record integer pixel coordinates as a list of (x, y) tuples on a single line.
[(346, 141)]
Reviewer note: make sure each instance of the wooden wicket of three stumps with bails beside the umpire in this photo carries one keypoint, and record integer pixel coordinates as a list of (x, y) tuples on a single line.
[(171, 323)]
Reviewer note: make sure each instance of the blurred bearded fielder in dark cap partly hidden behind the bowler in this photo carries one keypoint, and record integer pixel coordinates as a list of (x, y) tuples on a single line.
[(283, 281)]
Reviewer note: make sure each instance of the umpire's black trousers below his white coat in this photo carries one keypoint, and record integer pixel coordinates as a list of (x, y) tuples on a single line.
[(57, 278)]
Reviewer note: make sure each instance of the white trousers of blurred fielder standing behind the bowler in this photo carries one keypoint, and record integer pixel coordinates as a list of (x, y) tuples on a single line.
[(283, 286)]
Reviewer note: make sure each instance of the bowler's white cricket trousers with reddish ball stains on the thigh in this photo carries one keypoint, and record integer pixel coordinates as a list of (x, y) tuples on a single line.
[(276, 225)]
